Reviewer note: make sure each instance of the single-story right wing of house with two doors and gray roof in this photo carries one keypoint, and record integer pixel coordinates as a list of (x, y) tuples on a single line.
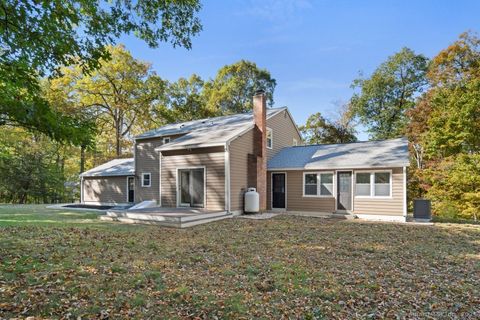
[(367, 179)]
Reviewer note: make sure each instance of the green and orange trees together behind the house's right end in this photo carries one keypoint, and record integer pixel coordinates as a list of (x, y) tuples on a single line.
[(436, 104)]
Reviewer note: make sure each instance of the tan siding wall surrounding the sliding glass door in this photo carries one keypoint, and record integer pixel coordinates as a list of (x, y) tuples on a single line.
[(213, 159)]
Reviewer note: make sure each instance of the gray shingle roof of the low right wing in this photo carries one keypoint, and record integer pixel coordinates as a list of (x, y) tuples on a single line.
[(368, 154)]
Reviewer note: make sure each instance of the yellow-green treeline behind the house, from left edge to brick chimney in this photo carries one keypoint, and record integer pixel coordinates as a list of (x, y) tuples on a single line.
[(123, 97)]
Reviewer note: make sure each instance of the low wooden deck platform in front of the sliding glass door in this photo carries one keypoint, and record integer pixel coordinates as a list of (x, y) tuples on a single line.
[(165, 219)]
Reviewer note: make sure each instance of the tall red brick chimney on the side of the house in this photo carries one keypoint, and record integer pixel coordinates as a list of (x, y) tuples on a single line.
[(260, 145)]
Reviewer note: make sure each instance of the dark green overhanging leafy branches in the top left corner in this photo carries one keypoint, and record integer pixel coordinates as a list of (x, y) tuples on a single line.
[(37, 37)]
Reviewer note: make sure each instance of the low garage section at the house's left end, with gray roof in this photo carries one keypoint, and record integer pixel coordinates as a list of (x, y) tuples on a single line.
[(111, 183)]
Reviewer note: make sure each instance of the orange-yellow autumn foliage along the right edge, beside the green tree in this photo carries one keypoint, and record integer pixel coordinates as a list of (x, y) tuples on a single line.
[(444, 131)]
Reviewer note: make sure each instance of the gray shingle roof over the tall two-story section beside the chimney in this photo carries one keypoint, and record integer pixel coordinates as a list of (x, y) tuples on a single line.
[(207, 132)]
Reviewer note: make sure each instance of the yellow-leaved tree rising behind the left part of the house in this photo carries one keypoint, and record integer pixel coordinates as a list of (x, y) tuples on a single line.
[(119, 95)]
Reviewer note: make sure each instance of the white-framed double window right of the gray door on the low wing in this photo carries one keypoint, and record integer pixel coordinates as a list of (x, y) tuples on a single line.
[(373, 184)]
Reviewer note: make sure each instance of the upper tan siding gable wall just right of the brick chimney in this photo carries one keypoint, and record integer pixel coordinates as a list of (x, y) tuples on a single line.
[(283, 133)]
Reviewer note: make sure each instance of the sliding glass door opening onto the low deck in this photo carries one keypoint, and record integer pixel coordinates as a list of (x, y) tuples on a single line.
[(191, 187)]
